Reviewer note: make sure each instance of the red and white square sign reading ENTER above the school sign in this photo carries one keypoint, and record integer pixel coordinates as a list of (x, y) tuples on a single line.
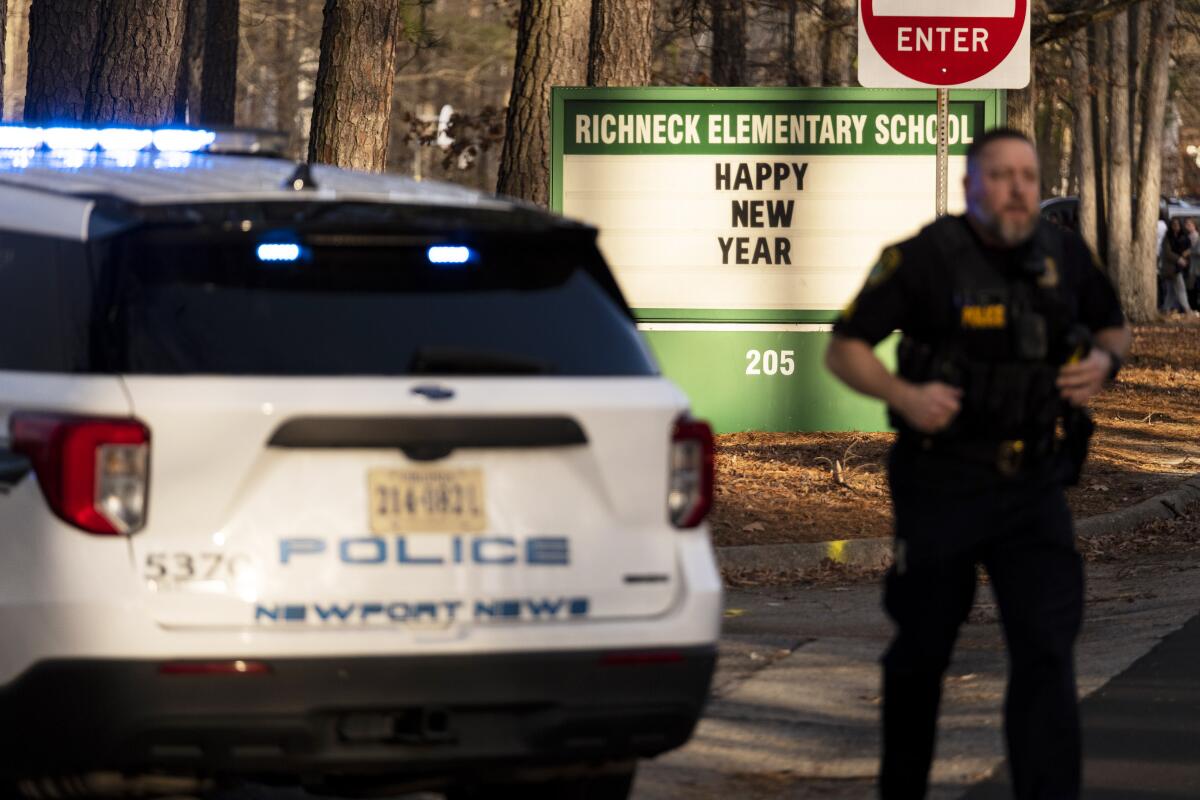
[(944, 44)]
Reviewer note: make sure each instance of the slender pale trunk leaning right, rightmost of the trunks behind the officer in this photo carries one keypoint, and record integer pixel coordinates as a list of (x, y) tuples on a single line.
[(1142, 293)]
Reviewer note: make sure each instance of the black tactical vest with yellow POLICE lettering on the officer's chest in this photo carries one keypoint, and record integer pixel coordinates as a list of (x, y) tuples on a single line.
[(1011, 334)]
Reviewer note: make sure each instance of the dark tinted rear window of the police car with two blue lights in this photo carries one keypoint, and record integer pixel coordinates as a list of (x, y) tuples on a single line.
[(381, 303)]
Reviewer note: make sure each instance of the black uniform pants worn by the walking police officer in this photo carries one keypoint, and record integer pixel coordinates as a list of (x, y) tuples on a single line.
[(1024, 538)]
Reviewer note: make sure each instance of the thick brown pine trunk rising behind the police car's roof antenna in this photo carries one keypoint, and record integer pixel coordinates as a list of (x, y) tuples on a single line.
[(352, 106)]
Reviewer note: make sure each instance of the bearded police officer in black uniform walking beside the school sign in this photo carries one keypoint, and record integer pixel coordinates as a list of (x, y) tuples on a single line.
[(1010, 328)]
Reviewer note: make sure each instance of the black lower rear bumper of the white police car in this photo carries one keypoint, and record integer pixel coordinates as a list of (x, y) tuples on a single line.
[(353, 717)]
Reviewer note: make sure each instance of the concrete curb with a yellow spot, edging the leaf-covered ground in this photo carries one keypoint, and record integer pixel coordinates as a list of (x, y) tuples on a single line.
[(877, 554)]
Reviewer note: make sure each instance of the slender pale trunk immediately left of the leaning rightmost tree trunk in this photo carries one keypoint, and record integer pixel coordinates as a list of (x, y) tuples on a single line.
[(1120, 216)]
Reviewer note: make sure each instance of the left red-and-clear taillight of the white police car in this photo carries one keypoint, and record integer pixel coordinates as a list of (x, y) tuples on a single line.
[(94, 472)]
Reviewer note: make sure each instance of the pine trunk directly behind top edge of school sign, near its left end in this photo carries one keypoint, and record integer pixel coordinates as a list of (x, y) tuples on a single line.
[(622, 44)]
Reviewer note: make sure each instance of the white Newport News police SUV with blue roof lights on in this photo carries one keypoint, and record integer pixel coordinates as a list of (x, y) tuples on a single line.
[(331, 478)]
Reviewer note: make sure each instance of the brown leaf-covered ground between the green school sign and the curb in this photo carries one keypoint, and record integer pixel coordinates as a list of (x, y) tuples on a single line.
[(812, 488)]
